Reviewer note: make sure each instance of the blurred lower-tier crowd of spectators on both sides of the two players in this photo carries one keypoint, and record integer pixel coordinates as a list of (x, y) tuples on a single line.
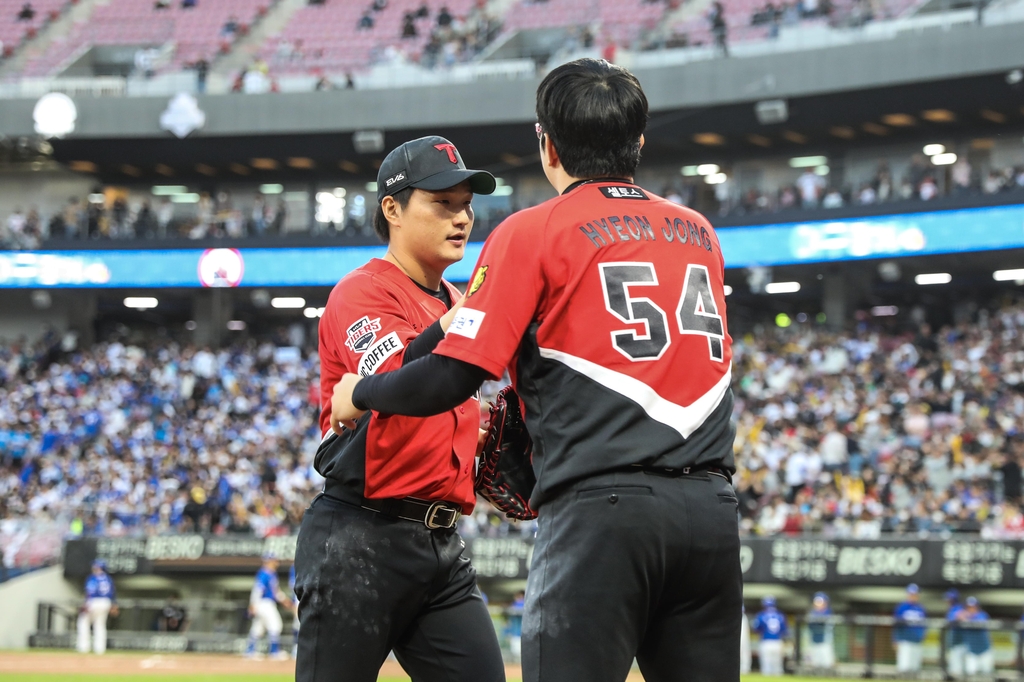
[(848, 435)]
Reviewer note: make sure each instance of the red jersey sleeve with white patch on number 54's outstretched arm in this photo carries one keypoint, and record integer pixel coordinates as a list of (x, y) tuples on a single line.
[(503, 299)]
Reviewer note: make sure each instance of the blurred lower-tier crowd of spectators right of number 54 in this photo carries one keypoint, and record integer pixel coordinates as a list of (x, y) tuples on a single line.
[(860, 435)]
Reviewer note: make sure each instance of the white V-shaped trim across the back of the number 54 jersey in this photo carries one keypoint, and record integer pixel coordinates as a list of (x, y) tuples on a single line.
[(686, 420)]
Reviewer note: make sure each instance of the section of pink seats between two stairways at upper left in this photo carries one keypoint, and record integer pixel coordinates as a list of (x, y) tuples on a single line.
[(198, 33)]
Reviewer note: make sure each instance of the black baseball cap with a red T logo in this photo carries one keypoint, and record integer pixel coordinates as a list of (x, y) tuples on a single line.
[(429, 163)]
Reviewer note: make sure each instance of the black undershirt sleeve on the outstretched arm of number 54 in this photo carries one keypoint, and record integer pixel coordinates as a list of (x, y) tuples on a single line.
[(428, 387)]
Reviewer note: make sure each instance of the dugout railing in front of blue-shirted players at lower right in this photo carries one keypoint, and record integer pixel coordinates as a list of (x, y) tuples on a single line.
[(863, 647)]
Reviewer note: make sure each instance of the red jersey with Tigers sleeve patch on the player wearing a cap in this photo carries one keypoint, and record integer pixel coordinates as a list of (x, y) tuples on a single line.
[(370, 318)]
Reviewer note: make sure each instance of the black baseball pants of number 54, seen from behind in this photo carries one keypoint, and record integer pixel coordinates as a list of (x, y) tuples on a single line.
[(636, 566)]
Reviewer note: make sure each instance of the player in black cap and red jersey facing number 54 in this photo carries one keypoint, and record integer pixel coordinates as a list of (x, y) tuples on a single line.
[(379, 562)]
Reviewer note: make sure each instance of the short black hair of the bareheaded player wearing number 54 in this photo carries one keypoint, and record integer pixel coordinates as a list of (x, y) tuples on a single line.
[(595, 114)]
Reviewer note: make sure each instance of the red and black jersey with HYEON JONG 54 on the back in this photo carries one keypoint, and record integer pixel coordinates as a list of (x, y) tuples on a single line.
[(608, 307)]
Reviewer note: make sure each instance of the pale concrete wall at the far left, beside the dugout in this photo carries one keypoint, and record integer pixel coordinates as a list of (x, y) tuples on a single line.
[(21, 600)]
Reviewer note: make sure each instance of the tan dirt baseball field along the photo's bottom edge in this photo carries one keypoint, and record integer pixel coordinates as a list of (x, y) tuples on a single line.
[(68, 667)]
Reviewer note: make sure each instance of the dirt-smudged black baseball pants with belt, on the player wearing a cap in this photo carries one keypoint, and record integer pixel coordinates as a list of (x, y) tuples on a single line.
[(369, 584)]
